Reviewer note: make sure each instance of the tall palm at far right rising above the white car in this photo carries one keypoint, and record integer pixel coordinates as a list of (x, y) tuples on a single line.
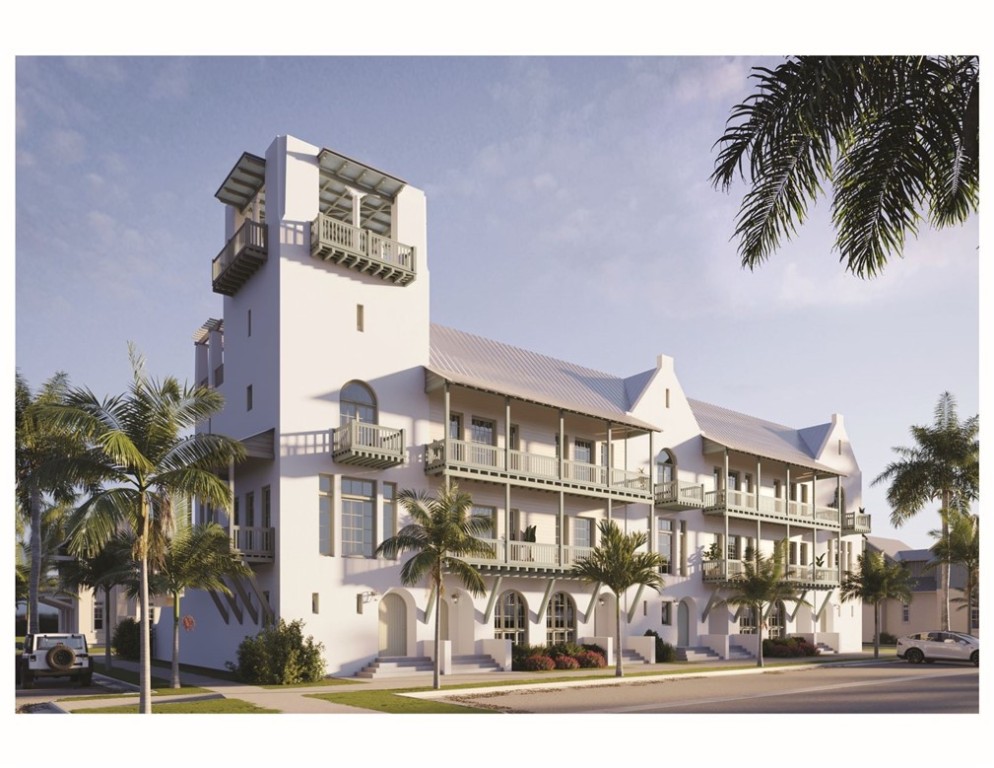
[(943, 466)]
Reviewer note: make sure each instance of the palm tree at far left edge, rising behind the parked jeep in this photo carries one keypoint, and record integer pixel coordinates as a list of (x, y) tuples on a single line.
[(40, 446)]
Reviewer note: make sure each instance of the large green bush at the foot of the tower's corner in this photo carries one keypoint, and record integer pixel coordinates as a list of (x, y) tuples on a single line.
[(279, 655)]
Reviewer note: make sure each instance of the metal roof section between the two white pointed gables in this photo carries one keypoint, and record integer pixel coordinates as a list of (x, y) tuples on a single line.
[(756, 437)]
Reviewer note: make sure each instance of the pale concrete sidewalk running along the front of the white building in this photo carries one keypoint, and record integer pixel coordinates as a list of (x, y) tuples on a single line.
[(294, 700)]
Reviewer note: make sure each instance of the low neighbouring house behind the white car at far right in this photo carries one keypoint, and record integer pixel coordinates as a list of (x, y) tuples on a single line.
[(925, 609)]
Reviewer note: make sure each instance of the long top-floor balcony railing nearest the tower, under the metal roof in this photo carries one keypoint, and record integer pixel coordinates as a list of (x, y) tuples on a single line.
[(480, 461)]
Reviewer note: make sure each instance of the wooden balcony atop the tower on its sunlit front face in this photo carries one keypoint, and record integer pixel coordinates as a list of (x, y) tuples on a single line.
[(362, 250)]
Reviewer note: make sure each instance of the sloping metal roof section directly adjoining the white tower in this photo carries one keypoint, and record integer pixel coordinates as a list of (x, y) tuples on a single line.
[(491, 366)]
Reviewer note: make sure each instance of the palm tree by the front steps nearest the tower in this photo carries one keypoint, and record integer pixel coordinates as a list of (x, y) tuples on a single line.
[(441, 531)]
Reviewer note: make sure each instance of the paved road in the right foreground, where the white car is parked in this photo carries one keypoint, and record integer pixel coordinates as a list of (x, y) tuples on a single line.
[(886, 688)]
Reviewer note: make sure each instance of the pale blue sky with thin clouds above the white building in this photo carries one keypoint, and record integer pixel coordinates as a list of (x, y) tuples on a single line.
[(569, 212)]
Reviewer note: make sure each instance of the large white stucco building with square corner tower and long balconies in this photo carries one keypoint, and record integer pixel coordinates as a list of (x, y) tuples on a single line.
[(344, 394)]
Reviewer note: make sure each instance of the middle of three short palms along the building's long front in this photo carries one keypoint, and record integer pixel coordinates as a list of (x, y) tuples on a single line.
[(616, 563)]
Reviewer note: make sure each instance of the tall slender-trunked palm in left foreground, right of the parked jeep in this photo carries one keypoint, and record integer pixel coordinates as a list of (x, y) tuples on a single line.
[(138, 444)]
